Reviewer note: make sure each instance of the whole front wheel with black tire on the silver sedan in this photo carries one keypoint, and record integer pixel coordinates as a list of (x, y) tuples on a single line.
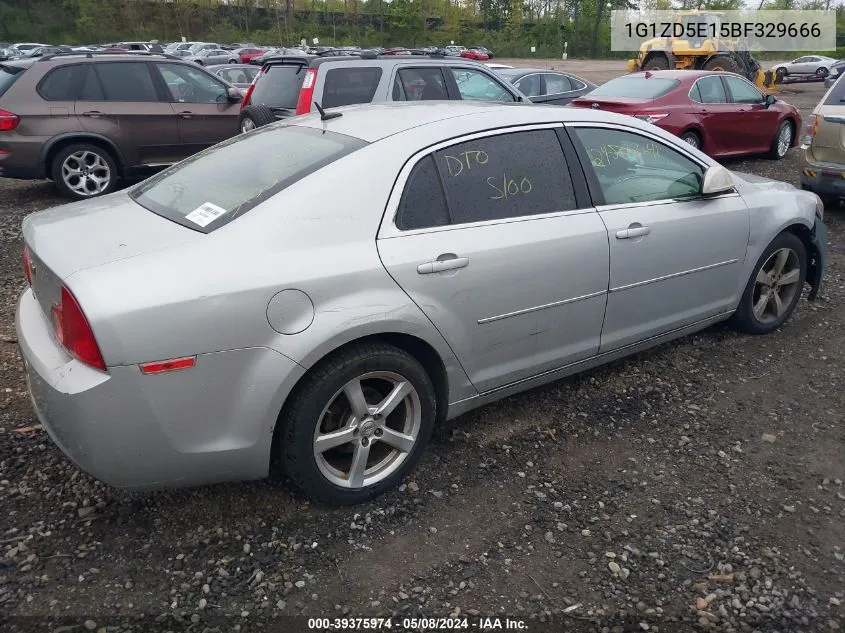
[(758, 311)]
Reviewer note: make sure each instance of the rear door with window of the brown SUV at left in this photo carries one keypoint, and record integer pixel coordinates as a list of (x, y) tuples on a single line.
[(119, 101)]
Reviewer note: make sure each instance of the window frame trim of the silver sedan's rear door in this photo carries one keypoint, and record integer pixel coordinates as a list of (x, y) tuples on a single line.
[(388, 228)]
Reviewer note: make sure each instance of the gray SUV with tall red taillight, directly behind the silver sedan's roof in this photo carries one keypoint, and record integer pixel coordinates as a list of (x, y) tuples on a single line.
[(290, 85)]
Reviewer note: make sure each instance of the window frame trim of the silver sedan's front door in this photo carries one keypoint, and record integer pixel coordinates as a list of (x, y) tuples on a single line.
[(592, 180)]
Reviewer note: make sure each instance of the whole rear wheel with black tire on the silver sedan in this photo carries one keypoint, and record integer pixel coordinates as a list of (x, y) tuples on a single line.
[(319, 407)]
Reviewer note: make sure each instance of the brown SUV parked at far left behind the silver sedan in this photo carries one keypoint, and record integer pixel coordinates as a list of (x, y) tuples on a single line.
[(85, 120)]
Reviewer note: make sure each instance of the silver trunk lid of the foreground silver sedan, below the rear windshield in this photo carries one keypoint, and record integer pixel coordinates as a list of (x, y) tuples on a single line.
[(90, 233)]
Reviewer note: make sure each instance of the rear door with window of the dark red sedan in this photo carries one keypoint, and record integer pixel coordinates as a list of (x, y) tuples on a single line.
[(720, 119)]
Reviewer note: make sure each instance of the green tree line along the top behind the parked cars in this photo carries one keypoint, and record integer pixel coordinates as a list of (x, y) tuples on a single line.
[(509, 27)]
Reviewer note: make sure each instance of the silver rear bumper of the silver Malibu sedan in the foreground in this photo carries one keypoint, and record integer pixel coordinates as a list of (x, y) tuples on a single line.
[(213, 422)]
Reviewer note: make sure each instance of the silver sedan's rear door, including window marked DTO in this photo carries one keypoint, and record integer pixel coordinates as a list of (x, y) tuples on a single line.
[(513, 269)]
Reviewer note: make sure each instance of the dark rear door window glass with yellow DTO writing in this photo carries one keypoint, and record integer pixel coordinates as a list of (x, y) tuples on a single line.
[(506, 176)]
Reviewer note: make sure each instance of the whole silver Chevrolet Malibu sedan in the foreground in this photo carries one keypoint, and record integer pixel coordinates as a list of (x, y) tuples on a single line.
[(320, 293)]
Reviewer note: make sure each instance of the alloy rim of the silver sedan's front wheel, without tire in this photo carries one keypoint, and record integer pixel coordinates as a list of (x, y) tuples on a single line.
[(776, 284)]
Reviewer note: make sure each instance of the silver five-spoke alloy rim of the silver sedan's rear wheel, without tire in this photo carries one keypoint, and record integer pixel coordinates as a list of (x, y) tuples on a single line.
[(367, 430)]
